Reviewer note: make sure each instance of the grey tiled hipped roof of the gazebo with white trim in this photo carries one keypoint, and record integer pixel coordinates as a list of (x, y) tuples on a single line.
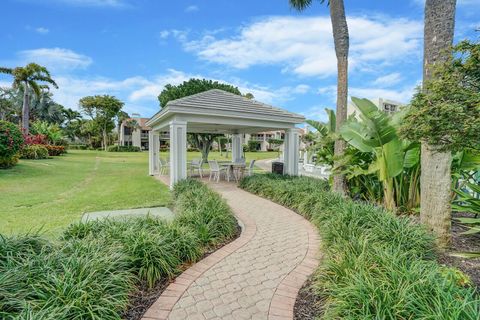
[(223, 112)]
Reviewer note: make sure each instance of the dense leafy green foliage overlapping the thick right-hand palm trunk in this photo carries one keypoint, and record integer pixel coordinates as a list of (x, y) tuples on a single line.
[(446, 113)]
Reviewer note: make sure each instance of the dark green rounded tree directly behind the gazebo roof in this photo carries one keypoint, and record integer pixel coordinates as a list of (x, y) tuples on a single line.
[(201, 141)]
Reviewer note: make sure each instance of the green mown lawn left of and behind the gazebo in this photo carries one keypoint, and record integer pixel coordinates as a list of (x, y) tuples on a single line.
[(48, 195)]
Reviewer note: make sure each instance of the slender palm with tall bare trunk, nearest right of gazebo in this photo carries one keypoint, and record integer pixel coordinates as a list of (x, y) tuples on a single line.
[(341, 40)]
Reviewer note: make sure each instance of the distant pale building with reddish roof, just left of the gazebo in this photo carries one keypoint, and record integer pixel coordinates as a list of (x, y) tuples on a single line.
[(134, 132)]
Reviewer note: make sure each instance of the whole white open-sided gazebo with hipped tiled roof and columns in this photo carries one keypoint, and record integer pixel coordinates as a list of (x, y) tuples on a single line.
[(218, 111)]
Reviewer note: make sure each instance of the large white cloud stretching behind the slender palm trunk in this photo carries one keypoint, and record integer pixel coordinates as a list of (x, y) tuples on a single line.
[(305, 45)]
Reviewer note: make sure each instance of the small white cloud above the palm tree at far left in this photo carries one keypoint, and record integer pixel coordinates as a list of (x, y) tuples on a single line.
[(56, 59)]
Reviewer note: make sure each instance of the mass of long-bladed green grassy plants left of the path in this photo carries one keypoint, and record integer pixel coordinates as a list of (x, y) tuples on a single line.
[(93, 270)]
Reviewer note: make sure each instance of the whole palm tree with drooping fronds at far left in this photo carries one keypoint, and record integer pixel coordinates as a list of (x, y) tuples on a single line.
[(29, 77)]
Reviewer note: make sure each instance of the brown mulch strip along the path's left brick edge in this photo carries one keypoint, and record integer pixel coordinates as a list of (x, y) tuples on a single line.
[(143, 298)]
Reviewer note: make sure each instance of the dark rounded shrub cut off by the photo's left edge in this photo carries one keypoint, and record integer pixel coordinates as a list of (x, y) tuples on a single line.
[(11, 141)]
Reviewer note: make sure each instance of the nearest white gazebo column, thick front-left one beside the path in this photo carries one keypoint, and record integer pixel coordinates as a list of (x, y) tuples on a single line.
[(178, 151)]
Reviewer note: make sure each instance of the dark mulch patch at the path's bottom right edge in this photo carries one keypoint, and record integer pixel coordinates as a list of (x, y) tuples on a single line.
[(309, 305)]
